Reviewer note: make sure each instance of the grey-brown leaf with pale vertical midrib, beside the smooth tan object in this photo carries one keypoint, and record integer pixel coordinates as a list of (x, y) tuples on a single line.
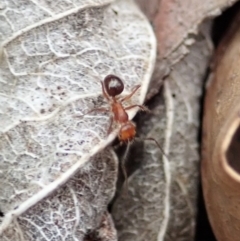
[(161, 200)]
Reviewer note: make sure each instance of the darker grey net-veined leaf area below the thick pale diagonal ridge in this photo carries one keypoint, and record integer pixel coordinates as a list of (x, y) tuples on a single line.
[(73, 211)]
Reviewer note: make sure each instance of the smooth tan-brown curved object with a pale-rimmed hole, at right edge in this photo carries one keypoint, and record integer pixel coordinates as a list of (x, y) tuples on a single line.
[(220, 165)]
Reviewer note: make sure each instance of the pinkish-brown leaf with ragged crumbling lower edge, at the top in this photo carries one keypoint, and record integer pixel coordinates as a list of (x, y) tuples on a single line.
[(176, 23)]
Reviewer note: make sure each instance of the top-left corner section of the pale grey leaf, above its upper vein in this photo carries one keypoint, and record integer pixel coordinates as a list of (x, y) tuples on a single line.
[(36, 13)]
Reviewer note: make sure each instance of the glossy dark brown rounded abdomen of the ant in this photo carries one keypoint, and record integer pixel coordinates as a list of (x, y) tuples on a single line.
[(113, 85)]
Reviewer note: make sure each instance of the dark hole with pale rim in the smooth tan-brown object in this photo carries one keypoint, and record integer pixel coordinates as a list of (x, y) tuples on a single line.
[(233, 153)]
